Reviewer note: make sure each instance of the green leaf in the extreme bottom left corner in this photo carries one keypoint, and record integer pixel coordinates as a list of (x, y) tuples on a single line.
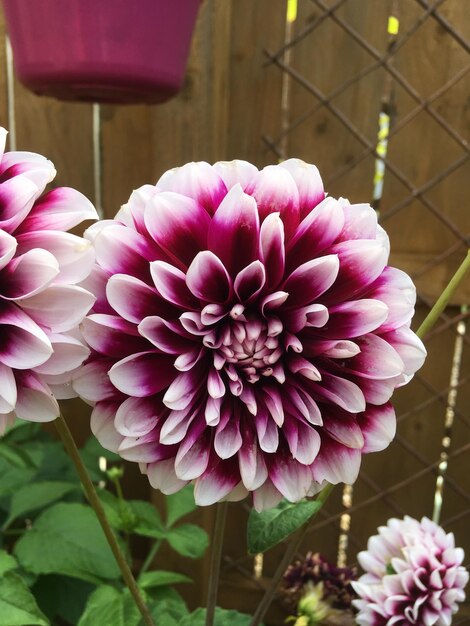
[(17, 604)]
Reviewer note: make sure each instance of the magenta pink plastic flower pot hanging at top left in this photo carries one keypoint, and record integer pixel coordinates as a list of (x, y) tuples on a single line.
[(118, 51)]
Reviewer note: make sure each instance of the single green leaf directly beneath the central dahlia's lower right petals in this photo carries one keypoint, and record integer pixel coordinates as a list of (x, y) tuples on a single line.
[(268, 528)]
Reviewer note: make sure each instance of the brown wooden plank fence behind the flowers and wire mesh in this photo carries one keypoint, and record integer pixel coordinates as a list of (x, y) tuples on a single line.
[(229, 102)]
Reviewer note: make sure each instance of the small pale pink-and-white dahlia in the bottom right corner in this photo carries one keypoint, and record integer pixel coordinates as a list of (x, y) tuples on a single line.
[(414, 576)]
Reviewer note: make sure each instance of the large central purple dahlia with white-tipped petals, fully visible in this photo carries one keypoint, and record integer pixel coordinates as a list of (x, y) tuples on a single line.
[(248, 333)]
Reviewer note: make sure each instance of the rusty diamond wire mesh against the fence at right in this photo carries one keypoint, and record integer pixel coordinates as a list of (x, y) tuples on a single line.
[(401, 480)]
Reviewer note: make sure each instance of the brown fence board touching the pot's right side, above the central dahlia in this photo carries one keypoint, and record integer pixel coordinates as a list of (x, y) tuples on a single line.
[(141, 142)]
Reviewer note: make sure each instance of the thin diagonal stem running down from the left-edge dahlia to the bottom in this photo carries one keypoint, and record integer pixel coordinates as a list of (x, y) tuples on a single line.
[(93, 499)]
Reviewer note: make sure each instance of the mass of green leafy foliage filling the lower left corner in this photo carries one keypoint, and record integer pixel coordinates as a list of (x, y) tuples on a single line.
[(55, 564)]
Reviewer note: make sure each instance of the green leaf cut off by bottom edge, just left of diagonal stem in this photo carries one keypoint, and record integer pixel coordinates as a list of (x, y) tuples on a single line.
[(109, 607)]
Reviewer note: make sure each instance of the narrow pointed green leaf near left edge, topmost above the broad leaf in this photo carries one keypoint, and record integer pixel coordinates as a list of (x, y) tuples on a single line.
[(37, 495)]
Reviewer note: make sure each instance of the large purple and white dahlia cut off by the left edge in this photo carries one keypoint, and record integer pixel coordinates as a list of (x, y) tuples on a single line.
[(40, 302)]
